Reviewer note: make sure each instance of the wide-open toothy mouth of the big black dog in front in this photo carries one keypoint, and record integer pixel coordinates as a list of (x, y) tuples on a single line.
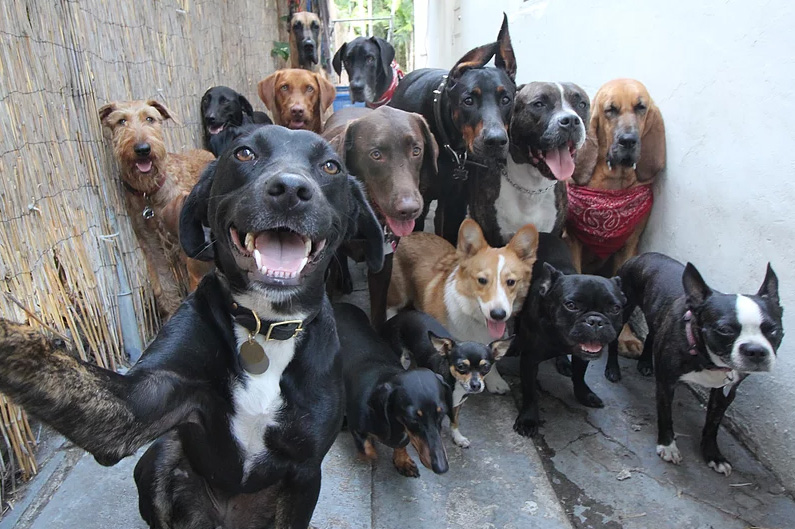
[(277, 255)]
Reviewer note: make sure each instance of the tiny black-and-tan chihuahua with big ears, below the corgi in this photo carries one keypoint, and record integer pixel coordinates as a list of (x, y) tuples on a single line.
[(464, 365)]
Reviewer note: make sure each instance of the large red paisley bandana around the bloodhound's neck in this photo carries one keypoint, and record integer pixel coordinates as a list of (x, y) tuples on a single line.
[(603, 220)]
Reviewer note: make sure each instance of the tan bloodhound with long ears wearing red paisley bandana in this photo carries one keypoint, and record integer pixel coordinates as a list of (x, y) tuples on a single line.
[(622, 155)]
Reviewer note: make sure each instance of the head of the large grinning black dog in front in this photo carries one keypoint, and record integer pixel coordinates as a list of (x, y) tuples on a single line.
[(278, 204)]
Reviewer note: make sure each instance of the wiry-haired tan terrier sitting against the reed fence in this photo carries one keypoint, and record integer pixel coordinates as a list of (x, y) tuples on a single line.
[(156, 184)]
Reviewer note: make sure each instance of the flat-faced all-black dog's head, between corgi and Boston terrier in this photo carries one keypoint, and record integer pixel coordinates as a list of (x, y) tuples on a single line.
[(585, 310)]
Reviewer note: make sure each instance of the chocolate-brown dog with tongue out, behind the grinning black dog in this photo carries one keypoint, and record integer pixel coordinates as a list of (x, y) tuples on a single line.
[(390, 151)]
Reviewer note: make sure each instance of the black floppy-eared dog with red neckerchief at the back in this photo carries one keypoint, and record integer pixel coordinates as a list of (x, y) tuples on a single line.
[(372, 72)]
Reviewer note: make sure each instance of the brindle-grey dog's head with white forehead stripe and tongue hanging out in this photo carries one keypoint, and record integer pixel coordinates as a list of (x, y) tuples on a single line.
[(548, 126)]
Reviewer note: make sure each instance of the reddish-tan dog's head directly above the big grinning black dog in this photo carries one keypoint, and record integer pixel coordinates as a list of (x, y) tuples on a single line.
[(297, 98)]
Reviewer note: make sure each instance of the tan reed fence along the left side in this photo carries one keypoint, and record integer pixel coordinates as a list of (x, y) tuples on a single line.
[(65, 237)]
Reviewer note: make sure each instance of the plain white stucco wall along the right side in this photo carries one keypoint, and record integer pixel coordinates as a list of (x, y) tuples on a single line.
[(723, 74)]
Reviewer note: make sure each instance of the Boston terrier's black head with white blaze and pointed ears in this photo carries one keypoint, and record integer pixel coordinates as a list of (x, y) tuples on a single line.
[(741, 332)]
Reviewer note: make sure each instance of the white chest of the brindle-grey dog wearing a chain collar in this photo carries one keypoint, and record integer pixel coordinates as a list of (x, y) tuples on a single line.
[(516, 208)]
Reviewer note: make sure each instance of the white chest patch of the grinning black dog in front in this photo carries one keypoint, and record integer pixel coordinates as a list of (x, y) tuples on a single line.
[(257, 399)]
